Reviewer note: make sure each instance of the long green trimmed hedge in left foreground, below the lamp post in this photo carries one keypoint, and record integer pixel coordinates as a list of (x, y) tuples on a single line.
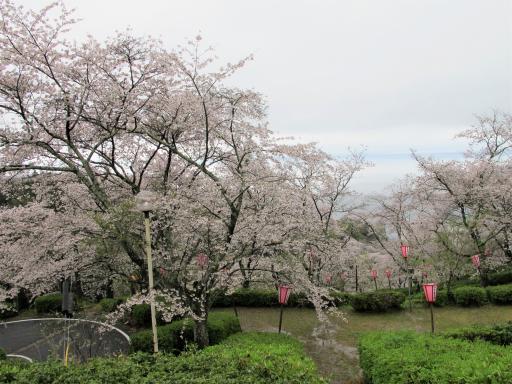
[(243, 358)]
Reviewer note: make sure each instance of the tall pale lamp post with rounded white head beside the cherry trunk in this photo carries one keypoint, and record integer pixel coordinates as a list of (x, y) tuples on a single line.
[(145, 202)]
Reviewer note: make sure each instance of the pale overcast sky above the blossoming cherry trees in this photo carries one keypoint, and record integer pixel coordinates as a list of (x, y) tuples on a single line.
[(389, 75)]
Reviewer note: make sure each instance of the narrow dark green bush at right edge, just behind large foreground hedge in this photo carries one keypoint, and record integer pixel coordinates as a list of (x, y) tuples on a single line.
[(500, 334)]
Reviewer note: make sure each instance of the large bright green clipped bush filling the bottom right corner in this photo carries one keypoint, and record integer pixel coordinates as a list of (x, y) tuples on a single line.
[(408, 357)]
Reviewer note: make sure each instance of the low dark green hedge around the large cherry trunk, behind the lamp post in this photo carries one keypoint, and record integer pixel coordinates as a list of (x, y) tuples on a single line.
[(174, 337)]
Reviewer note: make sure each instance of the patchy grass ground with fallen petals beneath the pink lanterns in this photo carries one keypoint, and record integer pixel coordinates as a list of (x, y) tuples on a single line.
[(336, 352)]
